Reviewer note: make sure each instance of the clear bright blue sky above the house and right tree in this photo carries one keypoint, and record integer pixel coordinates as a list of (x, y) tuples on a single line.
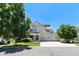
[(54, 14)]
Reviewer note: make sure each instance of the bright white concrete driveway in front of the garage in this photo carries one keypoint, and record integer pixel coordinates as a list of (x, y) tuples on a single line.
[(56, 44)]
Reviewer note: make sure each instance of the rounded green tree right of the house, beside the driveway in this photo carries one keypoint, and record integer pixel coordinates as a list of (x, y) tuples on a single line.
[(67, 32)]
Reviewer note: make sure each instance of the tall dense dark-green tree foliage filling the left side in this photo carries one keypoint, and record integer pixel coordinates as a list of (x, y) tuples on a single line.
[(12, 21)]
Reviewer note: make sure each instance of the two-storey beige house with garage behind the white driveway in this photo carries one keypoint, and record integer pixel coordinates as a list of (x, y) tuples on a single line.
[(42, 32)]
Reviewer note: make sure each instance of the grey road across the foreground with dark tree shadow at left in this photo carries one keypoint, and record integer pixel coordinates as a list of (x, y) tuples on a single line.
[(39, 51)]
